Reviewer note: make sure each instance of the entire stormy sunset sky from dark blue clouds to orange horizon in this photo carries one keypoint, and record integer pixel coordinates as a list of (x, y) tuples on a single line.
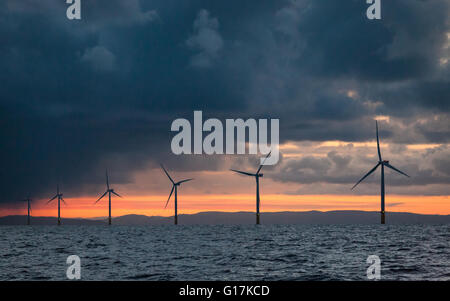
[(82, 96)]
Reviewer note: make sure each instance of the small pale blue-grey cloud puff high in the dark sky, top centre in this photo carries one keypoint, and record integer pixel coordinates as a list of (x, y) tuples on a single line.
[(206, 40)]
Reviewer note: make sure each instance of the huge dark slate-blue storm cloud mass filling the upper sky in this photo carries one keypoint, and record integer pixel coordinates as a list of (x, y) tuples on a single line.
[(79, 96)]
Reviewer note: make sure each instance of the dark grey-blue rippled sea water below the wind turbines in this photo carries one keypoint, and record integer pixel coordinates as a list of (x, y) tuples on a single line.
[(280, 252)]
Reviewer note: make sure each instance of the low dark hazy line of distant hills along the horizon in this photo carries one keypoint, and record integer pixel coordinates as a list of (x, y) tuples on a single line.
[(245, 218)]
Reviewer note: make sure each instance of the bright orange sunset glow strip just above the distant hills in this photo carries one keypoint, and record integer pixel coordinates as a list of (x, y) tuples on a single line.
[(189, 204)]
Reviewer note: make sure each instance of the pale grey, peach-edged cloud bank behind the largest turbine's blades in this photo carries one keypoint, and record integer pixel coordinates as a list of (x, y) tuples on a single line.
[(346, 164)]
